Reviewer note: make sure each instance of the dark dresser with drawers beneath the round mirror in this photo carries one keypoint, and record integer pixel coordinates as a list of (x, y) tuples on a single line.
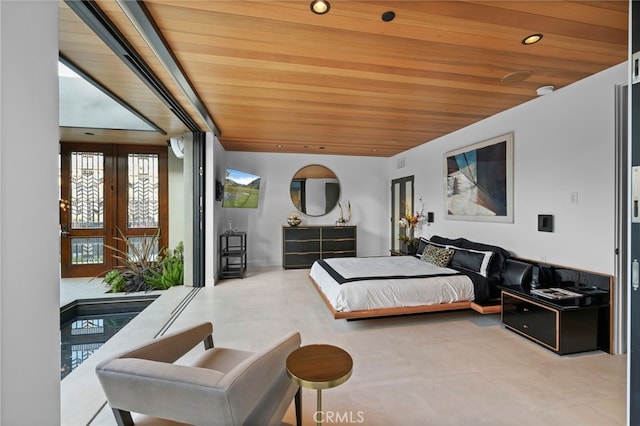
[(303, 245)]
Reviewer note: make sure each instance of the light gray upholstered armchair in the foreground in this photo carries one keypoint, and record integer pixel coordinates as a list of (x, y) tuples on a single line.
[(223, 387)]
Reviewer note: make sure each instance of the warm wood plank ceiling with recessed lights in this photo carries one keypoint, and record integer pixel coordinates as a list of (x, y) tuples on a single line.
[(277, 78)]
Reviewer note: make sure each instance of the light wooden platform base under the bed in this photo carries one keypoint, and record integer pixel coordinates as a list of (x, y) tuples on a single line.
[(493, 308)]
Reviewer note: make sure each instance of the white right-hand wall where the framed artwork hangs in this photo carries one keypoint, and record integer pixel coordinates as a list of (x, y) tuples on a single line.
[(563, 143)]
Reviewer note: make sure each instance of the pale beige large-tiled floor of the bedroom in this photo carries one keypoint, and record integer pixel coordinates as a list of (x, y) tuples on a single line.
[(455, 368)]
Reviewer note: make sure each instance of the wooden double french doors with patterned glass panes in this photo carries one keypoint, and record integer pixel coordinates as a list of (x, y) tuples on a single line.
[(104, 190)]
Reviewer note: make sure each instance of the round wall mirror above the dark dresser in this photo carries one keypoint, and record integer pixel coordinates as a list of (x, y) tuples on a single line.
[(315, 190)]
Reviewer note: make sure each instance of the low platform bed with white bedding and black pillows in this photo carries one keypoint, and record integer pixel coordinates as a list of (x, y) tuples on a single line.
[(445, 274)]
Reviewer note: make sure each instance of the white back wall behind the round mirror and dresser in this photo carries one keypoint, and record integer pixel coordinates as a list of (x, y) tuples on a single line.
[(361, 181)]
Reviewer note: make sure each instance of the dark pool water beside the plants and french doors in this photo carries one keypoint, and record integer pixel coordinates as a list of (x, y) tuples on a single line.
[(85, 325)]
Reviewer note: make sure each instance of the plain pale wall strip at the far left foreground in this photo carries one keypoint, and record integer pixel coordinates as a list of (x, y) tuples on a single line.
[(29, 266)]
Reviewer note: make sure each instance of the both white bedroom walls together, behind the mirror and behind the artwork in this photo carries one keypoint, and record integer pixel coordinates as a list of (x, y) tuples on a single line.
[(563, 143)]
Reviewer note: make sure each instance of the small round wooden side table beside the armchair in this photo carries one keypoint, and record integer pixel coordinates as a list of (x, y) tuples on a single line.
[(319, 367)]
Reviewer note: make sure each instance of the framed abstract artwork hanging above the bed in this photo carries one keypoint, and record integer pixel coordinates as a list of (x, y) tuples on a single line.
[(479, 181)]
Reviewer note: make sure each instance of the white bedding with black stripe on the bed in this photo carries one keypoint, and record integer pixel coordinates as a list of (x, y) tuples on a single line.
[(389, 293)]
